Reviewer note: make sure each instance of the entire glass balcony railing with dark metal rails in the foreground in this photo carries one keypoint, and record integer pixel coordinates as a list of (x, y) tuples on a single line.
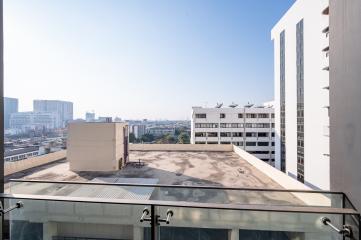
[(69, 210)]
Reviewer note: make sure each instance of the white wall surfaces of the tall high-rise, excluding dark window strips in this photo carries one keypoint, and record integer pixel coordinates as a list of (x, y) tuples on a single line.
[(316, 120)]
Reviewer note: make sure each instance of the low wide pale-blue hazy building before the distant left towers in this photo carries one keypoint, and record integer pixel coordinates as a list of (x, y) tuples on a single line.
[(34, 120)]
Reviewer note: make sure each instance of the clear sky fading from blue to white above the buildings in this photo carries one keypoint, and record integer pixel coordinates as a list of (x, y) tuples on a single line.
[(140, 59)]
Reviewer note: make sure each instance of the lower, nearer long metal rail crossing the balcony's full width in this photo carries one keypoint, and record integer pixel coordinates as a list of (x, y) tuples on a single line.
[(221, 206)]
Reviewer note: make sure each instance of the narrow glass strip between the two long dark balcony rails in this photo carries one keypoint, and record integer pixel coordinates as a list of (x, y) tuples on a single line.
[(181, 194)]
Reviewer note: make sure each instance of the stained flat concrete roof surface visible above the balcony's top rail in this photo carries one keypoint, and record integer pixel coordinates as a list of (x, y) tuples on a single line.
[(170, 167)]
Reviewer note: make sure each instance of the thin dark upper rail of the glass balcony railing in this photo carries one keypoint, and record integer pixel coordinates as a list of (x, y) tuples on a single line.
[(180, 186)]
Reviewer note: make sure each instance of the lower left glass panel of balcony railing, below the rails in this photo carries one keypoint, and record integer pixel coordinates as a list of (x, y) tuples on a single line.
[(59, 220)]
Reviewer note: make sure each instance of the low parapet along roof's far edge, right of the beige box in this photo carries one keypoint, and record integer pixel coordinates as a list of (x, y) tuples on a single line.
[(181, 147)]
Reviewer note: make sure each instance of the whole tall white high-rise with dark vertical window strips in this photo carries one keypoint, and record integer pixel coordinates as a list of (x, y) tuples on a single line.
[(301, 70)]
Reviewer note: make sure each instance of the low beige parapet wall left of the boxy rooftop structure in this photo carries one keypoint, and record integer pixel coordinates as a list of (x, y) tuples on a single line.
[(18, 166)]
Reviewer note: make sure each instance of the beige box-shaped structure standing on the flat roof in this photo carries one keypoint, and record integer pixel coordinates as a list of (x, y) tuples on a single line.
[(97, 146)]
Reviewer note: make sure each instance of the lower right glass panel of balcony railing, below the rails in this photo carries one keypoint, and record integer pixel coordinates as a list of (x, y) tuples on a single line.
[(197, 224)]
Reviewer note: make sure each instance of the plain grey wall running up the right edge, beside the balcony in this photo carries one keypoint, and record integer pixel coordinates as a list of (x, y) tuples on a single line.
[(345, 97)]
